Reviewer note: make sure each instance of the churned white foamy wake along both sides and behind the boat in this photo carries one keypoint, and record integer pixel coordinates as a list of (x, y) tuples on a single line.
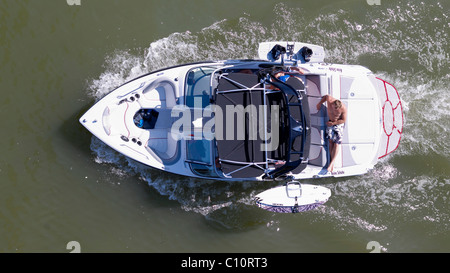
[(391, 44)]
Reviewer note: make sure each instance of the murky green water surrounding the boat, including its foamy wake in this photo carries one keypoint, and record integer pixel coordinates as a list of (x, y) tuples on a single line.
[(59, 184)]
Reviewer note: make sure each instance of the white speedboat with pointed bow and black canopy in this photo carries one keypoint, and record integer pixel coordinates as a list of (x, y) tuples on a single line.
[(240, 120)]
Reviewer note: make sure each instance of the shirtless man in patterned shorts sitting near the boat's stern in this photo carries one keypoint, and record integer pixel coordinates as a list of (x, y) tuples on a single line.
[(337, 115)]
